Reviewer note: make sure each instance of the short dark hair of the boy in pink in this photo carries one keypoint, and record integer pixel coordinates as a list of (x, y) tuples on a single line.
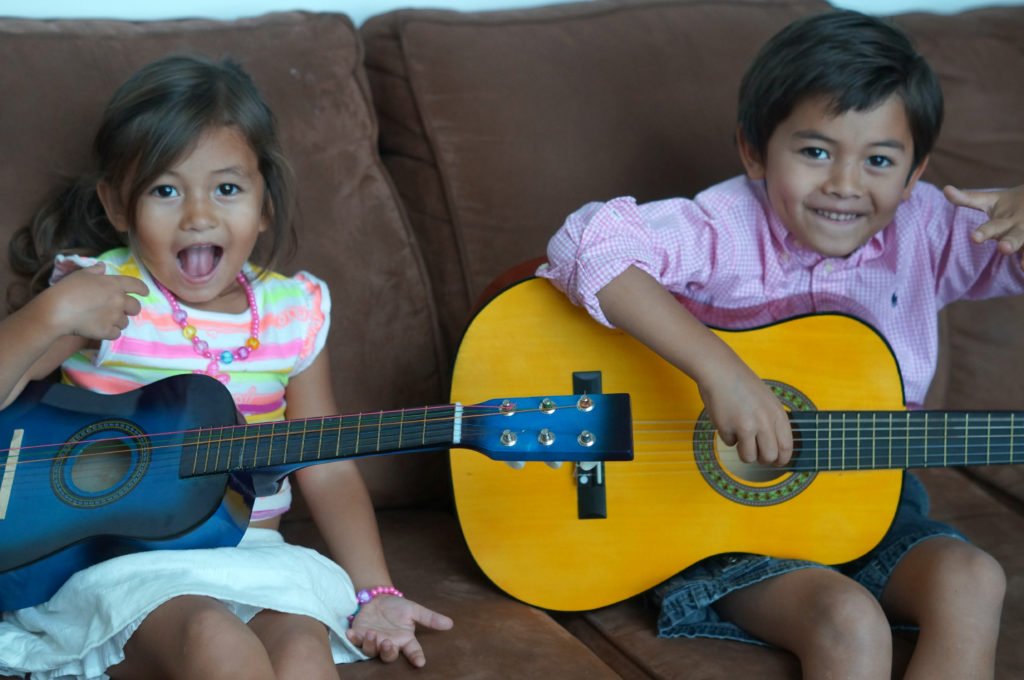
[(858, 61)]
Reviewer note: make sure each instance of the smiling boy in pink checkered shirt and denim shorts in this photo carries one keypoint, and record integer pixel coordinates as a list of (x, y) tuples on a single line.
[(838, 115)]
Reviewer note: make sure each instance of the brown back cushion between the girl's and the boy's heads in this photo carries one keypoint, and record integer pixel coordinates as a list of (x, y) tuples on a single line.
[(493, 145)]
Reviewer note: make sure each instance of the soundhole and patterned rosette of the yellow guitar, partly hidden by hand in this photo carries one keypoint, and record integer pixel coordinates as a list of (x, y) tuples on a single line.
[(743, 483)]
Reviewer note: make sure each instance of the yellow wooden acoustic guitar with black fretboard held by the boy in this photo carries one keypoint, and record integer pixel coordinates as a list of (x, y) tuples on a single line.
[(584, 537)]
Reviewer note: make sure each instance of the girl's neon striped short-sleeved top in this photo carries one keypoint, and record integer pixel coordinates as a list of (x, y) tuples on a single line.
[(295, 316)]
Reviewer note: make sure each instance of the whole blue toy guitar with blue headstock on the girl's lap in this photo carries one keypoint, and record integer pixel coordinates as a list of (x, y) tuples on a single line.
[(87, 478)]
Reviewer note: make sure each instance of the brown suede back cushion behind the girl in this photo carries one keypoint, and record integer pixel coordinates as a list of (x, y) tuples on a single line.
[(385, 342)]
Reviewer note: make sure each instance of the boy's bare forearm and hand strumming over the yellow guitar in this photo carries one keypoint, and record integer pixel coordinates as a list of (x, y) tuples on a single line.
[(744, 409)]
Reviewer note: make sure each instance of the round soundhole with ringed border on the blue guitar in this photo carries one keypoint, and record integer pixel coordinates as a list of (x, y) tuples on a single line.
[(101, 464)]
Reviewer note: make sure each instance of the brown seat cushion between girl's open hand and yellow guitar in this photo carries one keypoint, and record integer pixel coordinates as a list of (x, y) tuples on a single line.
[(494, 636)]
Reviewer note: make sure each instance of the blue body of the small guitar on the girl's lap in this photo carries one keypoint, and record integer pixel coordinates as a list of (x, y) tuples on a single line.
[(62, 517)]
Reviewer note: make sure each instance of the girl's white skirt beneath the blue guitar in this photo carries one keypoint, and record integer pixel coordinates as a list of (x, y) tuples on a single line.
[(81, 631)]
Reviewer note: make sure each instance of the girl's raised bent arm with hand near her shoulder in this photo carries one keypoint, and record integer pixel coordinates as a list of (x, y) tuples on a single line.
[(82, 308)]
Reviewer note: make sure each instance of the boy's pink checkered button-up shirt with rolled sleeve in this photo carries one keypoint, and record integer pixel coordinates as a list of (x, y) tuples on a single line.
[(730, 261)]
